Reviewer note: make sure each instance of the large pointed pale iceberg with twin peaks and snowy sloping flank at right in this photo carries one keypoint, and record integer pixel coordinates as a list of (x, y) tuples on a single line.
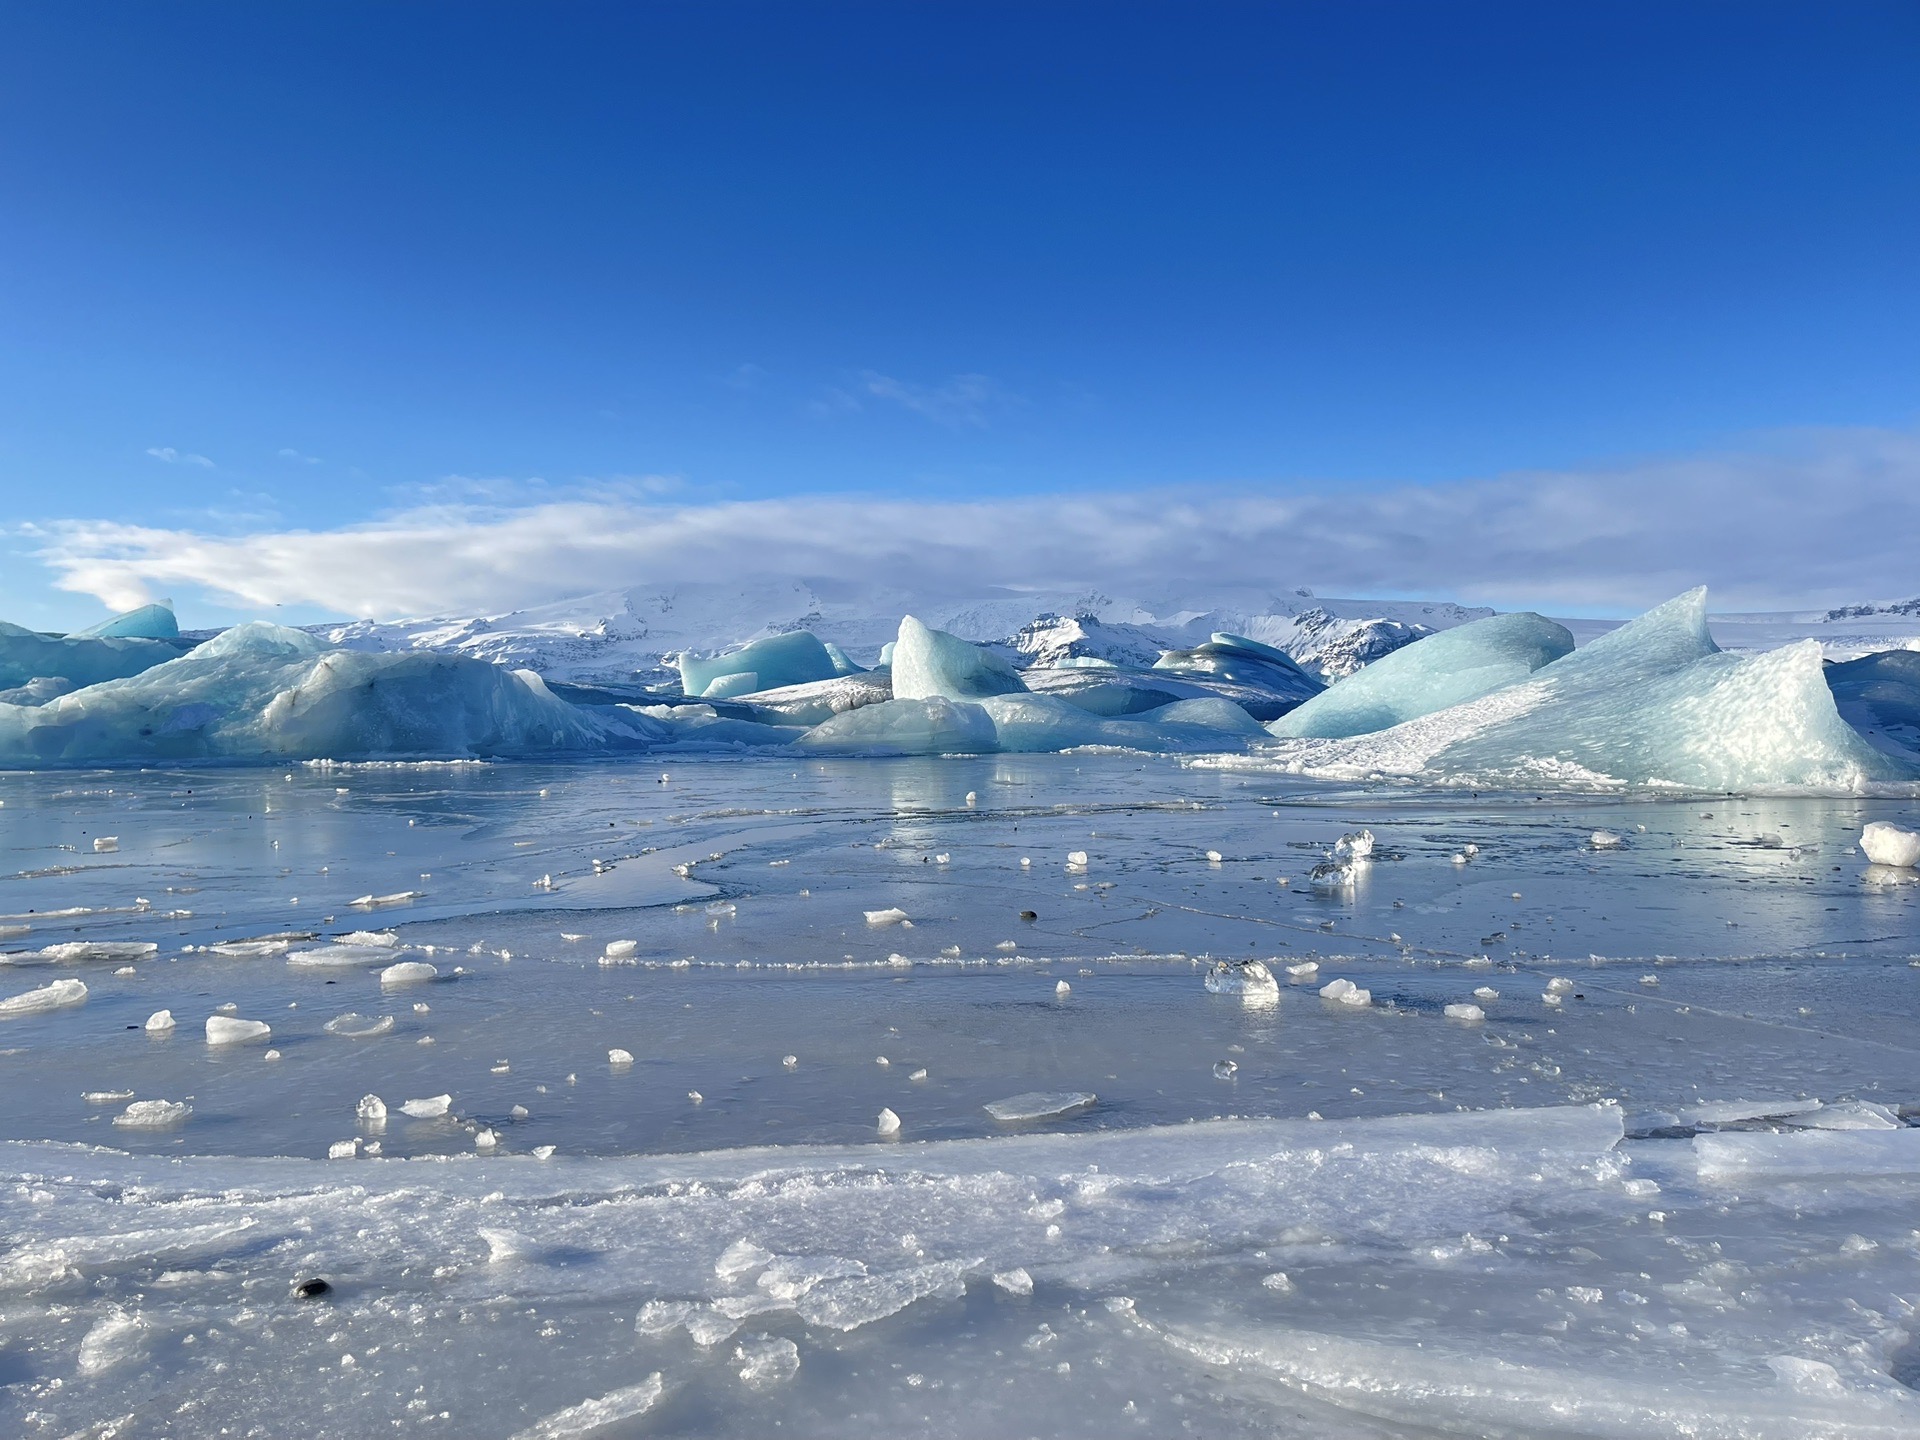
[(1652, 704)]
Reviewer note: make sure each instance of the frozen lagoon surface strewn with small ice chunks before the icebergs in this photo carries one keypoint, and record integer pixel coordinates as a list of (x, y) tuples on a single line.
[(1614, 1212)]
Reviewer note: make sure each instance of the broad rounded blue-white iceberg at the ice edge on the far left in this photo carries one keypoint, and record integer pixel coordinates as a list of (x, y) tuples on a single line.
[(262, 690)]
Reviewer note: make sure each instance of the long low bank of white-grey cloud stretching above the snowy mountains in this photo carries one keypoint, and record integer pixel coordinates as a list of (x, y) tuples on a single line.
[(1812, 519)]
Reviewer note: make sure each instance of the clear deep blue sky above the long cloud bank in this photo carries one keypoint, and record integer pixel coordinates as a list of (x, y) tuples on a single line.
[(300, 268)]
